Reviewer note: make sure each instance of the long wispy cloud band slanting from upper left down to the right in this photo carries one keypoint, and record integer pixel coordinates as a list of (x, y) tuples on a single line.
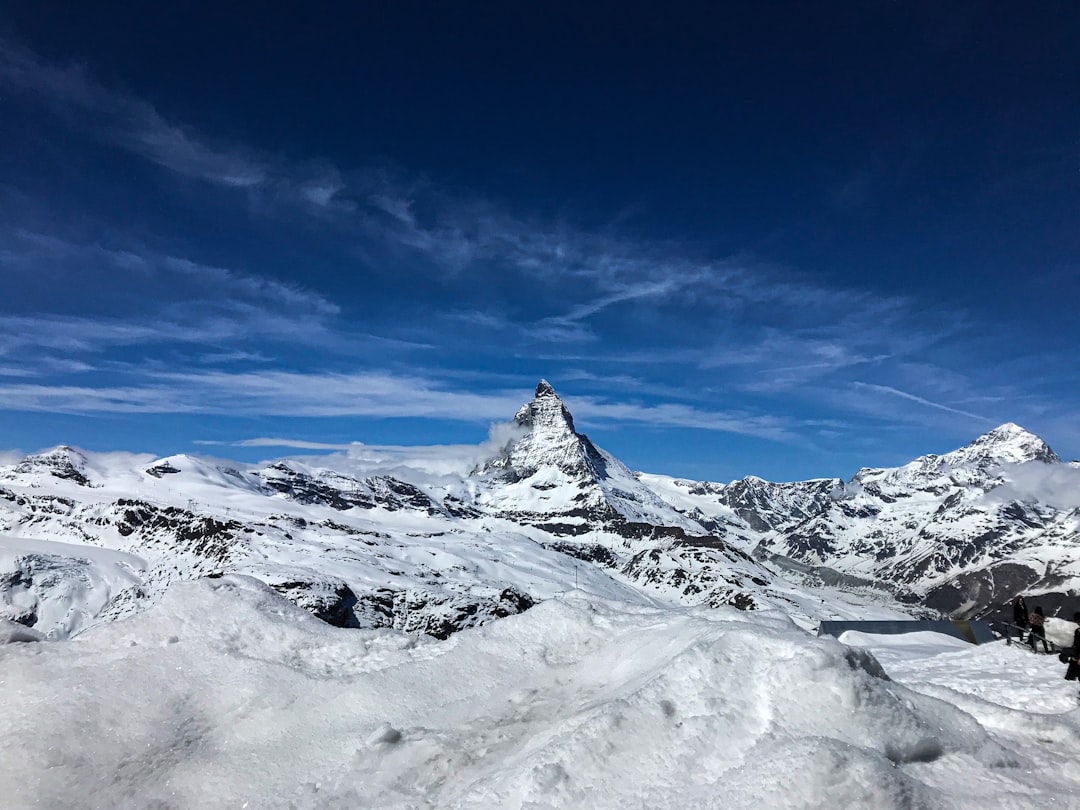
[(578, 275)]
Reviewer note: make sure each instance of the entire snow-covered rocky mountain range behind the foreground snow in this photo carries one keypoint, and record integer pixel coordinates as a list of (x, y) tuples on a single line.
[(87, 538)]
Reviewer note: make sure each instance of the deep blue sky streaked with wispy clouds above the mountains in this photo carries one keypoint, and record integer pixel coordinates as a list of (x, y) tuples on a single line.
[(778, 239)]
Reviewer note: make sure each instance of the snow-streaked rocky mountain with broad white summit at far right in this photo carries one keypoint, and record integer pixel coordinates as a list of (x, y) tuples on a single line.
[(948, 528)]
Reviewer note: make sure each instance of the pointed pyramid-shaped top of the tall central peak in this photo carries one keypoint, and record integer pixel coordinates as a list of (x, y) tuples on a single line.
[(550, 440)]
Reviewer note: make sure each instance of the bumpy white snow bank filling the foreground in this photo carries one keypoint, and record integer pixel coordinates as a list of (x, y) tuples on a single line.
[(226, 695)]
